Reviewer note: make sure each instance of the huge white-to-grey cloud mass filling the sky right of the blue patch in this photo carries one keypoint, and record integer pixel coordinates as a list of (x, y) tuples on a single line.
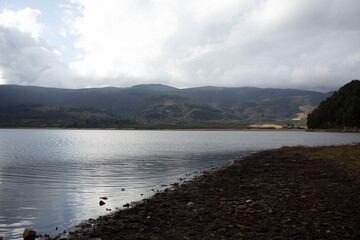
[(229, 43)]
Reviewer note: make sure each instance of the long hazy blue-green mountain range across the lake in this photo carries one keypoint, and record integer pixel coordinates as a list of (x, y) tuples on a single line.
[(156, 102)]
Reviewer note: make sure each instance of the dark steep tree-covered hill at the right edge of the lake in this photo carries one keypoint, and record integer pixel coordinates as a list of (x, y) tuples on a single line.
[(341, 110)]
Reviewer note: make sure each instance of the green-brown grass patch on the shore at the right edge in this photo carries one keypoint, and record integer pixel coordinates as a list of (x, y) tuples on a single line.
[(348, 155)]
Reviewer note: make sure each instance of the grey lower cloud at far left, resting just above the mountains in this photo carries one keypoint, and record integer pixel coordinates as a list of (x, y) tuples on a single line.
[(26, 61)]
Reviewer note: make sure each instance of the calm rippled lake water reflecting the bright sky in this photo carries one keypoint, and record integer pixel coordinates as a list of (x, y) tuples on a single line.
[(54, 178)]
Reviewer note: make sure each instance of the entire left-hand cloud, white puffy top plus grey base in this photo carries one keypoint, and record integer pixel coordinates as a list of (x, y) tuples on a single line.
[(26, 59)]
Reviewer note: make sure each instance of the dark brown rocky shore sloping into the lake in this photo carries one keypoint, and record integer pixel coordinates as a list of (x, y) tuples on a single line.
[(275, 194)]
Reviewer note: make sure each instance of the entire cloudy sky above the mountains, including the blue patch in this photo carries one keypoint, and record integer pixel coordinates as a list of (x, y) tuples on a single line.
[(303, 44)]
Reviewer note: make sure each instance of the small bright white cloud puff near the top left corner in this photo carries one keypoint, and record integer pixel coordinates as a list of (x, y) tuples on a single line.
[(25, 20)]
